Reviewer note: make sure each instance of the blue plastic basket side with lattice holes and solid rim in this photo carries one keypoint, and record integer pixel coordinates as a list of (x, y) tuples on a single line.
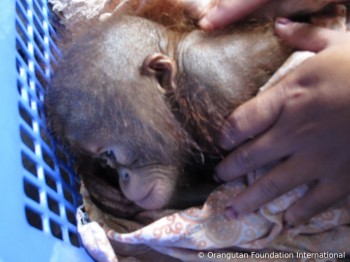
[(38, 189)]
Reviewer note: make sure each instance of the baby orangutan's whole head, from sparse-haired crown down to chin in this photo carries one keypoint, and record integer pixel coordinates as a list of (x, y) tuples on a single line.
[(101, 104)]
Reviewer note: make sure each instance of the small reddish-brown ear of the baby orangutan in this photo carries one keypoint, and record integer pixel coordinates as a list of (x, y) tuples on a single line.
[(163, 68)]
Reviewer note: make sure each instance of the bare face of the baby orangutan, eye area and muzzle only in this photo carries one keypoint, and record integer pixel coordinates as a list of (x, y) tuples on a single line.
[(149, 185)]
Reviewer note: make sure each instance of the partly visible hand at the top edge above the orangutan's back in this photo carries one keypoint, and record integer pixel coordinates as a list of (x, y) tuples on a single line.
[(223, 12)]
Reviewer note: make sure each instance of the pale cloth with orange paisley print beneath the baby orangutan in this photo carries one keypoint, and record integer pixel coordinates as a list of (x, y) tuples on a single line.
[(182, 234)]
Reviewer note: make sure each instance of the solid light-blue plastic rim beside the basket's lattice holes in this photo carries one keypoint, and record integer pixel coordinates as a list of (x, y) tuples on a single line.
[(19, 241)]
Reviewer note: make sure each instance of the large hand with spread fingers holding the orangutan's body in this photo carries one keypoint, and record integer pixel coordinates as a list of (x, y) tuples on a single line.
[(303, 121)]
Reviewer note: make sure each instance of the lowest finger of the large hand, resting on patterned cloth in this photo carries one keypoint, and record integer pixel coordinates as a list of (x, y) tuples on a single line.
[(323, 195)]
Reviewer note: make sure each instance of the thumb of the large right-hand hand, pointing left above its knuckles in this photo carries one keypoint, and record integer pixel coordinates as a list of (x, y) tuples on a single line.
[(304, 36)]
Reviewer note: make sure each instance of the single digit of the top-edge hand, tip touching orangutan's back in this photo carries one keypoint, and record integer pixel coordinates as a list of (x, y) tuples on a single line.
[(228, 11)]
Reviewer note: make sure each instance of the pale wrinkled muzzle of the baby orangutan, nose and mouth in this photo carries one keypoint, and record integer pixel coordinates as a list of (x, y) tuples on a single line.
[(147, 187)]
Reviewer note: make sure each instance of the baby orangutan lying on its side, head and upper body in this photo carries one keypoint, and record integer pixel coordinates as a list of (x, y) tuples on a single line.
[(149, 102)]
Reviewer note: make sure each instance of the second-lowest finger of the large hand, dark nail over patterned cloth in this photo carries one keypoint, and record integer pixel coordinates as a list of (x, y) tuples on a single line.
[(281, 179)]
